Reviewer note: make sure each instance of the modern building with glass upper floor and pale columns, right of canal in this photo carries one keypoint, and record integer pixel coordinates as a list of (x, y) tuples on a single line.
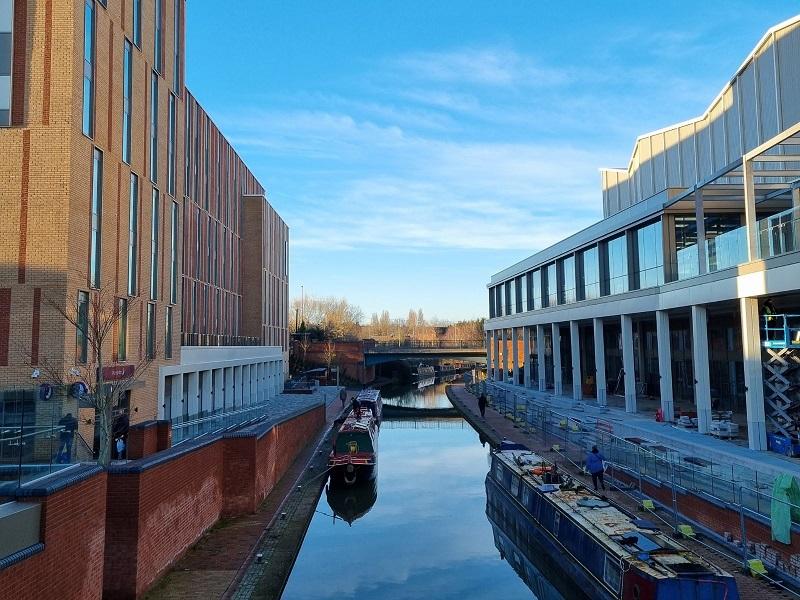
[(660, 304)]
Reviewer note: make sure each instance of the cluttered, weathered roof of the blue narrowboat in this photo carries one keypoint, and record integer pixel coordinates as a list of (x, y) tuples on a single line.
[(616, 530)]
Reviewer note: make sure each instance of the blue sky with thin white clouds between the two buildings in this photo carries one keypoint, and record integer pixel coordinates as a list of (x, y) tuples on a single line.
[(417, 147)]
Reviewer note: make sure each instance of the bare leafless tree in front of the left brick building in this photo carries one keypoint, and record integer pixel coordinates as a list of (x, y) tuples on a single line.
[(96, 320)]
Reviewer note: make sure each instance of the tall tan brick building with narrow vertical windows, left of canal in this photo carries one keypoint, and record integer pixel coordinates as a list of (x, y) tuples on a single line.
[(114, 180)]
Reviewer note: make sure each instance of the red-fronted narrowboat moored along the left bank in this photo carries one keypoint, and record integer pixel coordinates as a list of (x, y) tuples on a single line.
[(354, 454)]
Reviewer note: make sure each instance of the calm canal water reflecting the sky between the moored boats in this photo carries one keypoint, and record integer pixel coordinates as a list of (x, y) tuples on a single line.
[(422, 530)]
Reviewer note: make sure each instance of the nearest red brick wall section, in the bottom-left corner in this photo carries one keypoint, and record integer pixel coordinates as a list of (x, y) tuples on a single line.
[(73, 530)]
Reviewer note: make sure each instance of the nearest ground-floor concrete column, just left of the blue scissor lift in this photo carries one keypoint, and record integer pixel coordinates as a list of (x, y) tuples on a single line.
[(753, 374)]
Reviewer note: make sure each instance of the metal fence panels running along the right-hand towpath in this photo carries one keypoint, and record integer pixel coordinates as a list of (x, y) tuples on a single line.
[(652, 465)]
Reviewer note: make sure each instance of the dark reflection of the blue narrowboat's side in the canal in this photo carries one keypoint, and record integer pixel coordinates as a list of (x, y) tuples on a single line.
[(512, 537)]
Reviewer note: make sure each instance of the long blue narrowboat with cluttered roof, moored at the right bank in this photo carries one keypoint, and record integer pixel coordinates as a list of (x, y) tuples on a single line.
[(608, 553)]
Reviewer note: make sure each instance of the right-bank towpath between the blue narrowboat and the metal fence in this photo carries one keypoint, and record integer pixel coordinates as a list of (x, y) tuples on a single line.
[(496, 427)]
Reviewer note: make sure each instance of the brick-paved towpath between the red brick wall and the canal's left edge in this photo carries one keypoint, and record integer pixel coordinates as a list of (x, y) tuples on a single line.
[(213, 567)]
